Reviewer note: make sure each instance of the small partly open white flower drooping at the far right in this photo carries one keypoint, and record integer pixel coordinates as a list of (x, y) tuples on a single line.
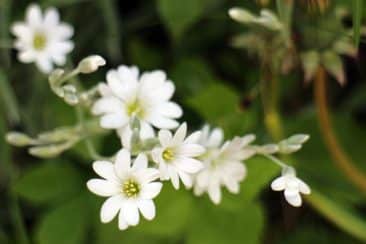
[(292, 186)]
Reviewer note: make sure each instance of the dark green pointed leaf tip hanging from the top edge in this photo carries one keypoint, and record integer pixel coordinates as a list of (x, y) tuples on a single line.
[(179, 15)]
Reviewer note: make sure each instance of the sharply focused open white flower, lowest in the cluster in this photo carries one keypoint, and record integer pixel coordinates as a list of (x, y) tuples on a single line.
[(130, 189)]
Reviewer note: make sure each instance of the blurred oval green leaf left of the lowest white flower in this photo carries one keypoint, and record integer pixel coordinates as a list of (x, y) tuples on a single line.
[(49, 183)]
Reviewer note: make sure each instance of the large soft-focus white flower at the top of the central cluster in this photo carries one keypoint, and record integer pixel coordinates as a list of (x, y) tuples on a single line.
[(146, 97)]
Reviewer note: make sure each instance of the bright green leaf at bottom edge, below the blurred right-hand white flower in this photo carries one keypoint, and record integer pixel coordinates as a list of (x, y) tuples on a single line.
[(210, 225)]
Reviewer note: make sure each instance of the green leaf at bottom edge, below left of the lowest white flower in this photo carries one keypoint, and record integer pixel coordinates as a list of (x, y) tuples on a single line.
[(66, 224)]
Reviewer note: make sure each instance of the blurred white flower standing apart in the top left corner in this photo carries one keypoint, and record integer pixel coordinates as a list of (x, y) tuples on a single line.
[(43, 40)]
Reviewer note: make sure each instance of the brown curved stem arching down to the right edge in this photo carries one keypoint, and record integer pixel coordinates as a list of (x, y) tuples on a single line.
[(340, 157)]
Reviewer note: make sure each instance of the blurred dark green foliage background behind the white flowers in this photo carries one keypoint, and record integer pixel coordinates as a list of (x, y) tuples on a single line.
[(215, 83)]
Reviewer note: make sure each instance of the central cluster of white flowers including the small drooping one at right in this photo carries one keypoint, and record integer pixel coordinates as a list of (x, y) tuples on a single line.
[(138, 107)]
